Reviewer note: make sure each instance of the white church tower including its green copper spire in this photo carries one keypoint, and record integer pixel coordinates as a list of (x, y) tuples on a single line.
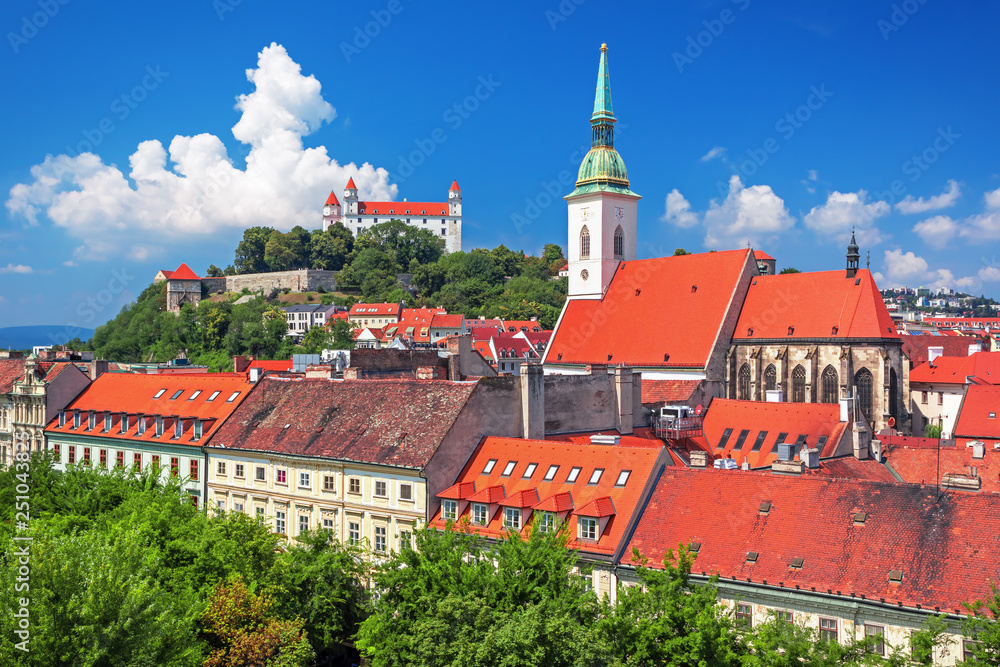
[(602, 208)]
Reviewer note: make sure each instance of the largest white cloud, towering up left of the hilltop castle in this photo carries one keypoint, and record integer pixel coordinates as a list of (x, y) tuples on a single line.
[(201, 191)]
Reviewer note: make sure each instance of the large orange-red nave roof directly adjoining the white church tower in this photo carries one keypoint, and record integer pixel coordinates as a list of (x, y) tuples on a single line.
[(636, 322)]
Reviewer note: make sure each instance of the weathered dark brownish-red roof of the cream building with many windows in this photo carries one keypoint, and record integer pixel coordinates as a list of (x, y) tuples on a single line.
[(398, 422)]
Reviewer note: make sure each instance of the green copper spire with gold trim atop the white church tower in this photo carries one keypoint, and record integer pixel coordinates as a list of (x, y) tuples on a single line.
[(602, 169)]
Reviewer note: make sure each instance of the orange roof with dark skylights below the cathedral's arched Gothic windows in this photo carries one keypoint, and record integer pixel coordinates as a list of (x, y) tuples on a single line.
[(747, 420)]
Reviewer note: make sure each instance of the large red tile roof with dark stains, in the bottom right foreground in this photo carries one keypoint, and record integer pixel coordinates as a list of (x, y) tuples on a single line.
[(945, 547)]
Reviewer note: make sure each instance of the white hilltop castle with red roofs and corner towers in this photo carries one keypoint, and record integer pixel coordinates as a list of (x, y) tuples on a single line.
[(442, 219)]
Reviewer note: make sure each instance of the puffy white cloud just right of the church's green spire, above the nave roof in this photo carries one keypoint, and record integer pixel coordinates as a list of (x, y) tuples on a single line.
[(747, 215)]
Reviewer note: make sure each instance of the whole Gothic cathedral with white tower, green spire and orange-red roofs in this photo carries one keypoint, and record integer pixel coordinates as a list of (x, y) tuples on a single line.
[(720, 324)]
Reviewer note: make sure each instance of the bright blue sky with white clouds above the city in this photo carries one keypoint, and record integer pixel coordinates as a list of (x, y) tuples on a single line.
[(782, 124)]
